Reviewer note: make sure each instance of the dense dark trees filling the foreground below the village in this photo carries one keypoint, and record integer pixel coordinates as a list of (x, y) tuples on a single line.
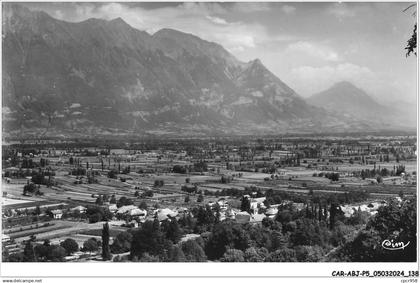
[(320, 232)]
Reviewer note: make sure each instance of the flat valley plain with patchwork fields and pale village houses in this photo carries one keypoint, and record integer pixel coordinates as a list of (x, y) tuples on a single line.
[(53, 193)]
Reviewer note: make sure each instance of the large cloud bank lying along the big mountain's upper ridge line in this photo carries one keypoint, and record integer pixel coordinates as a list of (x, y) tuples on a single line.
[(206, 20)]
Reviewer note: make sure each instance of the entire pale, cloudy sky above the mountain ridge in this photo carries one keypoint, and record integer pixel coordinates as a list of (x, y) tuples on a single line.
[(310, 46)]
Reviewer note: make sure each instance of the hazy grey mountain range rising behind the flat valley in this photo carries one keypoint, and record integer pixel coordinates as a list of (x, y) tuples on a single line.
[(99, 77)]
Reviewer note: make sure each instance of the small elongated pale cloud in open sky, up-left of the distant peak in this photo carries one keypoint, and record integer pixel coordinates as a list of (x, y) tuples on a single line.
[(315, 50)]
